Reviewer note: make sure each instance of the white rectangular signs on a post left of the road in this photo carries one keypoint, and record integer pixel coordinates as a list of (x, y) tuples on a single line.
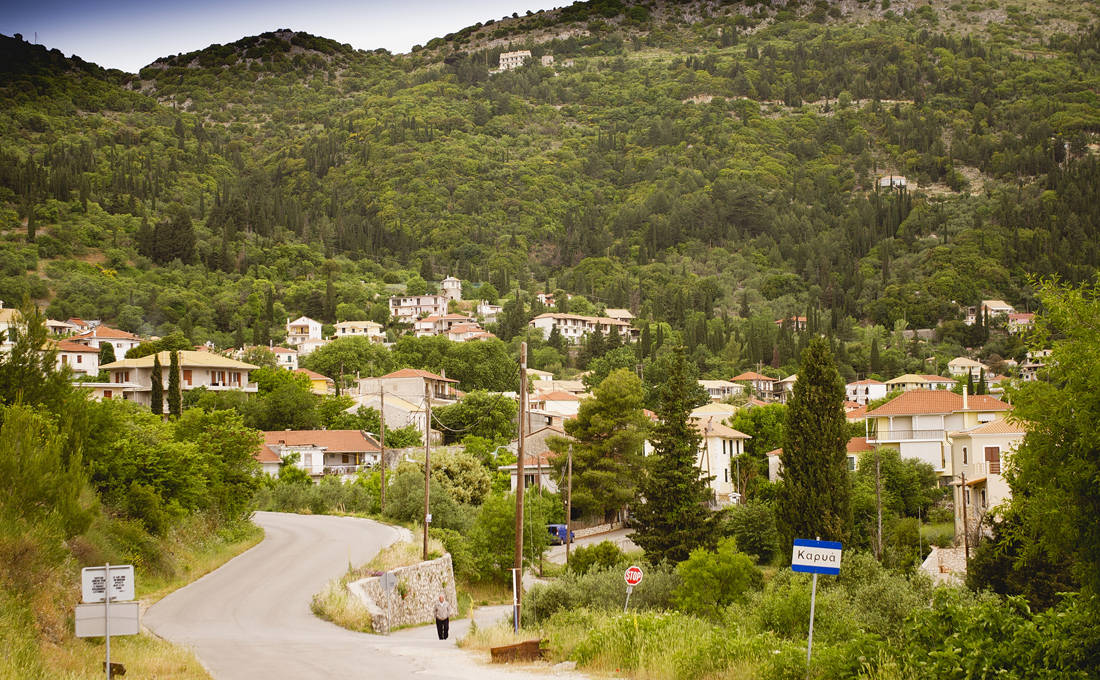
[(106, 585)]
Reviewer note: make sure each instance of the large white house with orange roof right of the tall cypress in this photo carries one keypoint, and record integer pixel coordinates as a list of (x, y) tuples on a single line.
[(917, 424)]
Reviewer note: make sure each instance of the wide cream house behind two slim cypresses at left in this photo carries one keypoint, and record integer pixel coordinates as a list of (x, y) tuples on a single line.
[(133, 379)]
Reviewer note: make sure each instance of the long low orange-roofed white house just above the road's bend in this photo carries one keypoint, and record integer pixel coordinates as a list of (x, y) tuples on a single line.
[(321, 453)]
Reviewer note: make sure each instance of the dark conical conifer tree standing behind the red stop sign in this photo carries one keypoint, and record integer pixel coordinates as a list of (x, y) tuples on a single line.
[(674, 520)]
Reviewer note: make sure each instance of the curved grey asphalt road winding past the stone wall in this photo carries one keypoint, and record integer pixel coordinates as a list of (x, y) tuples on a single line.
[(251, 619)]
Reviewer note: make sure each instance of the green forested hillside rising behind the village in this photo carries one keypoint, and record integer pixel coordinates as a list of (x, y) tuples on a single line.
[(713, 167)]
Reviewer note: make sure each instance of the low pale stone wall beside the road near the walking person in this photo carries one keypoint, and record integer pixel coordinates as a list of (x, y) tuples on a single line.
[(413, 600)]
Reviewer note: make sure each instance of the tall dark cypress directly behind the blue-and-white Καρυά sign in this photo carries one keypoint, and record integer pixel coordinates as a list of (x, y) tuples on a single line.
[(815, 496)]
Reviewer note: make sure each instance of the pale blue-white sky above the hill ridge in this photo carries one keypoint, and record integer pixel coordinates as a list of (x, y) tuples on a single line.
[(129, 35)]
